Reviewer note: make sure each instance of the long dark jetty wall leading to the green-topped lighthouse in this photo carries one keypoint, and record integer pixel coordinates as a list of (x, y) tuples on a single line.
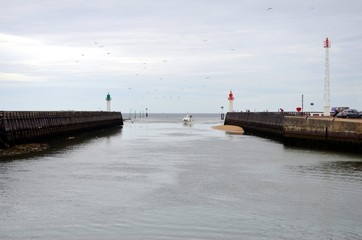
[(17, 127)]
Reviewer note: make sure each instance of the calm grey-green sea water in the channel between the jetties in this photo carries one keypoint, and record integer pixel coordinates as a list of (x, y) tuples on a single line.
[(160, 179)]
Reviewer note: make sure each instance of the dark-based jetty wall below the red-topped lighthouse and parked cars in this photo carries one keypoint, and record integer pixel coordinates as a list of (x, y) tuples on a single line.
[(303, 131)]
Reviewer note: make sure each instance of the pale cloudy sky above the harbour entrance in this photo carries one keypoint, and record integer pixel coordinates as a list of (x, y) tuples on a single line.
[(179, 56)]
